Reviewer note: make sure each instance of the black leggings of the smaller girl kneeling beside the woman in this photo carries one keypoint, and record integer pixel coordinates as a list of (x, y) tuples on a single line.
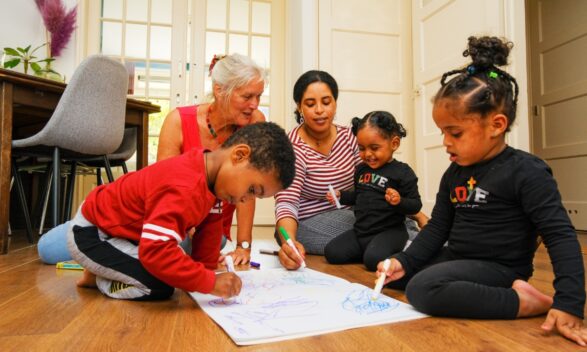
[(370, 250)]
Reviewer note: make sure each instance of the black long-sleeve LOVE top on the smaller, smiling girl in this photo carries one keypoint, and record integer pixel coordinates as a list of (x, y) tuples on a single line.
[(373, 213)]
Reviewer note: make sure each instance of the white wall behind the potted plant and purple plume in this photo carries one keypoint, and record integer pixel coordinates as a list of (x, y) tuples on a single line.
[(21, 25)]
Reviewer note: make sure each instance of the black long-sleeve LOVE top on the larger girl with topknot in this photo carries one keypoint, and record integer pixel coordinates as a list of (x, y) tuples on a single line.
[(494, 211)]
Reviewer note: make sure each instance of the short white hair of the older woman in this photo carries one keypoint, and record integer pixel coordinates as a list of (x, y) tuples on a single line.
[(234, 71)]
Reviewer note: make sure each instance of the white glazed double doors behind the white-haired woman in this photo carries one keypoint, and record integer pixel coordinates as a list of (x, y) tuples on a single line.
[(169, 44)]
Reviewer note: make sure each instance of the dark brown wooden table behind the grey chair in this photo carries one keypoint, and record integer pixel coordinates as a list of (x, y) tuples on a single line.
[(26, 104)]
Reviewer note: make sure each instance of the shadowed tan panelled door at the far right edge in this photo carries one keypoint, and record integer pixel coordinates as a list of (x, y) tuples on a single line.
[(558, 52)]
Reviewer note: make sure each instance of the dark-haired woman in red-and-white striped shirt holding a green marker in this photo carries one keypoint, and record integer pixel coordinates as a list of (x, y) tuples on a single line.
[(326, 154)]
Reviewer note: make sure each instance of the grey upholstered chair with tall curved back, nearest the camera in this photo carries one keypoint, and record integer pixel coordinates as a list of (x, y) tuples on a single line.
[(88, 120)]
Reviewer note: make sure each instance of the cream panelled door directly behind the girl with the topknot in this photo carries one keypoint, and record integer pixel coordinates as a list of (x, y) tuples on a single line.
[(440, 32)]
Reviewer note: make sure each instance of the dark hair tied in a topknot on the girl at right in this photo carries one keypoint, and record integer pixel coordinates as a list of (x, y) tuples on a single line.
[(483, 87)]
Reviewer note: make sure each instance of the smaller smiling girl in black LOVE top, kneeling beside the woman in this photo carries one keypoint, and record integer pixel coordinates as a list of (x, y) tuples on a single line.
[(385, 191)]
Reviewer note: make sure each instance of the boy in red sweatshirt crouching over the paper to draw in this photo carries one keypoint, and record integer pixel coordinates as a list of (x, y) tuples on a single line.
[(126, 234)]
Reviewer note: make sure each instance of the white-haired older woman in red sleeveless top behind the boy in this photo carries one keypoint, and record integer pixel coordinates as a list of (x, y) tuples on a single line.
[(237, 85)]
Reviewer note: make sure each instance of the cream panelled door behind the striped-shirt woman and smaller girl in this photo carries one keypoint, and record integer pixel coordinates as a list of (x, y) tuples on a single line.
[(366, 46)]
